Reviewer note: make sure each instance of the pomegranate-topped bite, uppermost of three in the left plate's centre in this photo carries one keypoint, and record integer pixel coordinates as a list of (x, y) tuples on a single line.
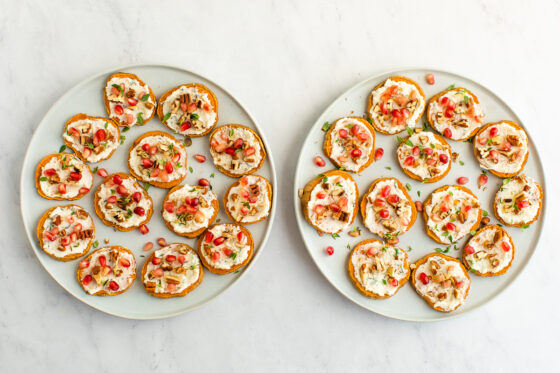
[(159, 159)]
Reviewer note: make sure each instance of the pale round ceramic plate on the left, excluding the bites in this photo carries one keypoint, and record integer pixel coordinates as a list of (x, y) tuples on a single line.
[(86, 97)]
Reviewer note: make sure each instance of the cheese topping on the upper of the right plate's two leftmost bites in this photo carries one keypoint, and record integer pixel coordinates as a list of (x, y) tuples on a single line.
[(342, 147)]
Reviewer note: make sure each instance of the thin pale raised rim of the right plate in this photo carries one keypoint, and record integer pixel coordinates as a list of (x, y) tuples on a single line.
[(397, 71)]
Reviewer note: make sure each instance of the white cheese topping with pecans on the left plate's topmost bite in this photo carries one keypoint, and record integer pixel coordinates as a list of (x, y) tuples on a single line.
[(132, 114)]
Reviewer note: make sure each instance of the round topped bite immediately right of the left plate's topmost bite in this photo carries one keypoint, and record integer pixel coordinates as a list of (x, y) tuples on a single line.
[(189, 109)]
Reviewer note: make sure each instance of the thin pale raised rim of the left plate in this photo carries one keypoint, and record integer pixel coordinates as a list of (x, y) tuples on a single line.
[(270, 220)]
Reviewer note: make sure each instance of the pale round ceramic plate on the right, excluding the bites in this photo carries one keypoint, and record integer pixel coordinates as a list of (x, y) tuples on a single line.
[(406, 304)]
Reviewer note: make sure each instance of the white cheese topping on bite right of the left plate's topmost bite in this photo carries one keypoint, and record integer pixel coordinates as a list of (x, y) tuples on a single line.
[(200, 117)]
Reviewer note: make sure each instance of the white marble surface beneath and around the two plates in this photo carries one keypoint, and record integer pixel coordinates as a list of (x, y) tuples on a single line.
[(286, 60)]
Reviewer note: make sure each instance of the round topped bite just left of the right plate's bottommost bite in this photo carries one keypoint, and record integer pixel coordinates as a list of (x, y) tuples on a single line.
[(378, 270)]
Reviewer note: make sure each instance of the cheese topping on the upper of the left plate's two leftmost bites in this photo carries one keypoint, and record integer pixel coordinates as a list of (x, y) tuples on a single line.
[(64, 165)]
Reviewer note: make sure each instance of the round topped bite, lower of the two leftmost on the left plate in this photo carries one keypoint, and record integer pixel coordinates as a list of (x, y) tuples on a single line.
[(65, 232)]
